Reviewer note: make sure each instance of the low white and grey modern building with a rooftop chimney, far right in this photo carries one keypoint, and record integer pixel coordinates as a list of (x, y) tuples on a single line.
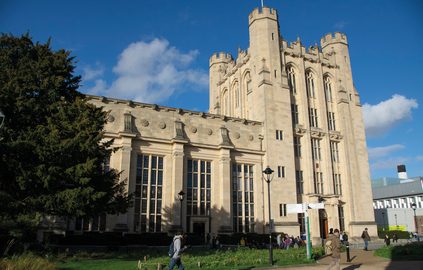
[(398, 202)]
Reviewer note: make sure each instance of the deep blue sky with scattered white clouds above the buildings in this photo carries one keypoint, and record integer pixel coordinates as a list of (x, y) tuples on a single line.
[(124, 48)]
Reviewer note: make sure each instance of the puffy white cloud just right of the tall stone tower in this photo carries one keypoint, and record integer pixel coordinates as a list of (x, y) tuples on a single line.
[(381, 117)]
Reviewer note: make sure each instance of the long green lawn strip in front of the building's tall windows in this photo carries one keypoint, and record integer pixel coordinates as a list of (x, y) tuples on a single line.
[(192, 259)]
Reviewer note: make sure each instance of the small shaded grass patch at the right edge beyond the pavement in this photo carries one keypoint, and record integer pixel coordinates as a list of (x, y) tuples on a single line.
[(412, 251)]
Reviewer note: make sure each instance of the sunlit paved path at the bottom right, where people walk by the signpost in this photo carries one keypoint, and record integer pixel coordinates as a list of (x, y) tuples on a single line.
[(360, 259)]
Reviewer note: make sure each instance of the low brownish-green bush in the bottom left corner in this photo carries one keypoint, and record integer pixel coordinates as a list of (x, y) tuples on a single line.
[(26, 262)]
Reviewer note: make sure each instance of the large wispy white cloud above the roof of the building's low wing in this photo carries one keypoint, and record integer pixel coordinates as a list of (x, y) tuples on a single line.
[(152, 72)]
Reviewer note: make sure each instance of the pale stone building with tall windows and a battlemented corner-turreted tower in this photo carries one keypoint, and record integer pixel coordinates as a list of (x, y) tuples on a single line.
[(277, 104)]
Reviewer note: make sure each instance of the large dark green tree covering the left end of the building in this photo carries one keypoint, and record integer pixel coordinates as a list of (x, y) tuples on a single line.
[(51, 147)]
